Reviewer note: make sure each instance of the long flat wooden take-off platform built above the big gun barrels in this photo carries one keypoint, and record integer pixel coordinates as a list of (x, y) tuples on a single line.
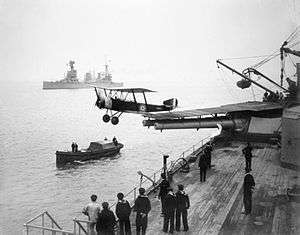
[(247, 106)]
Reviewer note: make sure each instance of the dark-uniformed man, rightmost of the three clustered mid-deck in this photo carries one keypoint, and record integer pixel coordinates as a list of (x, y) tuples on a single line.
[(182, 205)]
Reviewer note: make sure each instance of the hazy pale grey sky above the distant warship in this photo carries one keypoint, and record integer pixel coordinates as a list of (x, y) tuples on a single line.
[(173, 40)]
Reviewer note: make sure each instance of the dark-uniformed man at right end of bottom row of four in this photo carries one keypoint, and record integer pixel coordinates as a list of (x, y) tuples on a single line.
[(142, 207)]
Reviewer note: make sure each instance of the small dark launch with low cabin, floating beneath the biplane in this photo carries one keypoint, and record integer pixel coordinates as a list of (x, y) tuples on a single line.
[(96, 150)]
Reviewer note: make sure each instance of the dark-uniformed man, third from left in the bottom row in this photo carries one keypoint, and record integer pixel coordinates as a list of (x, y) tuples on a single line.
[(123, 211)]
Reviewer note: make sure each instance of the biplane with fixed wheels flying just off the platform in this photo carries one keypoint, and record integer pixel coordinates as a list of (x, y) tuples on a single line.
[(124, 100)]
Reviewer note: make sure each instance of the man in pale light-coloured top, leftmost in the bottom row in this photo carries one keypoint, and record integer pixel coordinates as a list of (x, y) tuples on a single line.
[(92, 210)]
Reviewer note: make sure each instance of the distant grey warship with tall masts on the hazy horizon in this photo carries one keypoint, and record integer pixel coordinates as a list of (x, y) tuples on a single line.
[(71, 80)]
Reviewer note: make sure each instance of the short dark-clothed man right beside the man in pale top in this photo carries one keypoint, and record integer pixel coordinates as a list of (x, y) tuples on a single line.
[(106, 221)]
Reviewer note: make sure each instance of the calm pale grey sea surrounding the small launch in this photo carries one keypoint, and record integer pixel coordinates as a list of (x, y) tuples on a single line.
[(35, 123)]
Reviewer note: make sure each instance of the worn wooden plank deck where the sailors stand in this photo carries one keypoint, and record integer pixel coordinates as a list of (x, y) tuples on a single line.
[(216, 204)]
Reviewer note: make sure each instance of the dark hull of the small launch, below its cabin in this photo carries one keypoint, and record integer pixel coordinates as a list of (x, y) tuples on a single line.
[(63, 157)]
